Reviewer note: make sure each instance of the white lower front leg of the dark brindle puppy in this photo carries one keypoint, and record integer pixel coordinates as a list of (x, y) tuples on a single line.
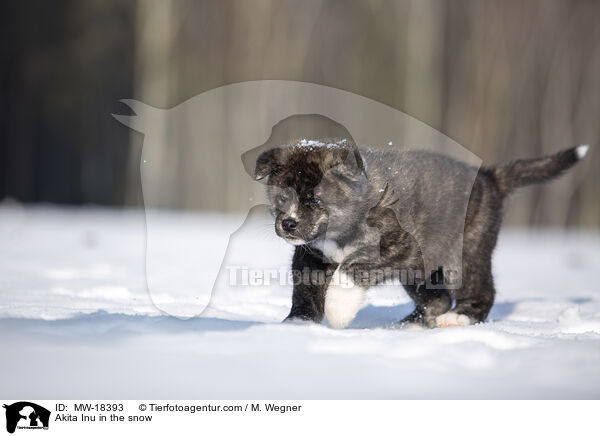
[(342, 301)]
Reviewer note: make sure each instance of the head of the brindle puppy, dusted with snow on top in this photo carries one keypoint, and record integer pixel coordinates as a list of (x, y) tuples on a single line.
[(313, 187)]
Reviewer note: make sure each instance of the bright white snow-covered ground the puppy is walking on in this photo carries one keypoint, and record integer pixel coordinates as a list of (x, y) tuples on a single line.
[(76, 321)]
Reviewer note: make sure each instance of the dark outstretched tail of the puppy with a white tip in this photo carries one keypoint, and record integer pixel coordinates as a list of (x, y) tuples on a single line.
[(523, 172)]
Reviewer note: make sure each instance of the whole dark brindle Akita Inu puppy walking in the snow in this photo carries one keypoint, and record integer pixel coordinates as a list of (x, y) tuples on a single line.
[(355, 211)]
